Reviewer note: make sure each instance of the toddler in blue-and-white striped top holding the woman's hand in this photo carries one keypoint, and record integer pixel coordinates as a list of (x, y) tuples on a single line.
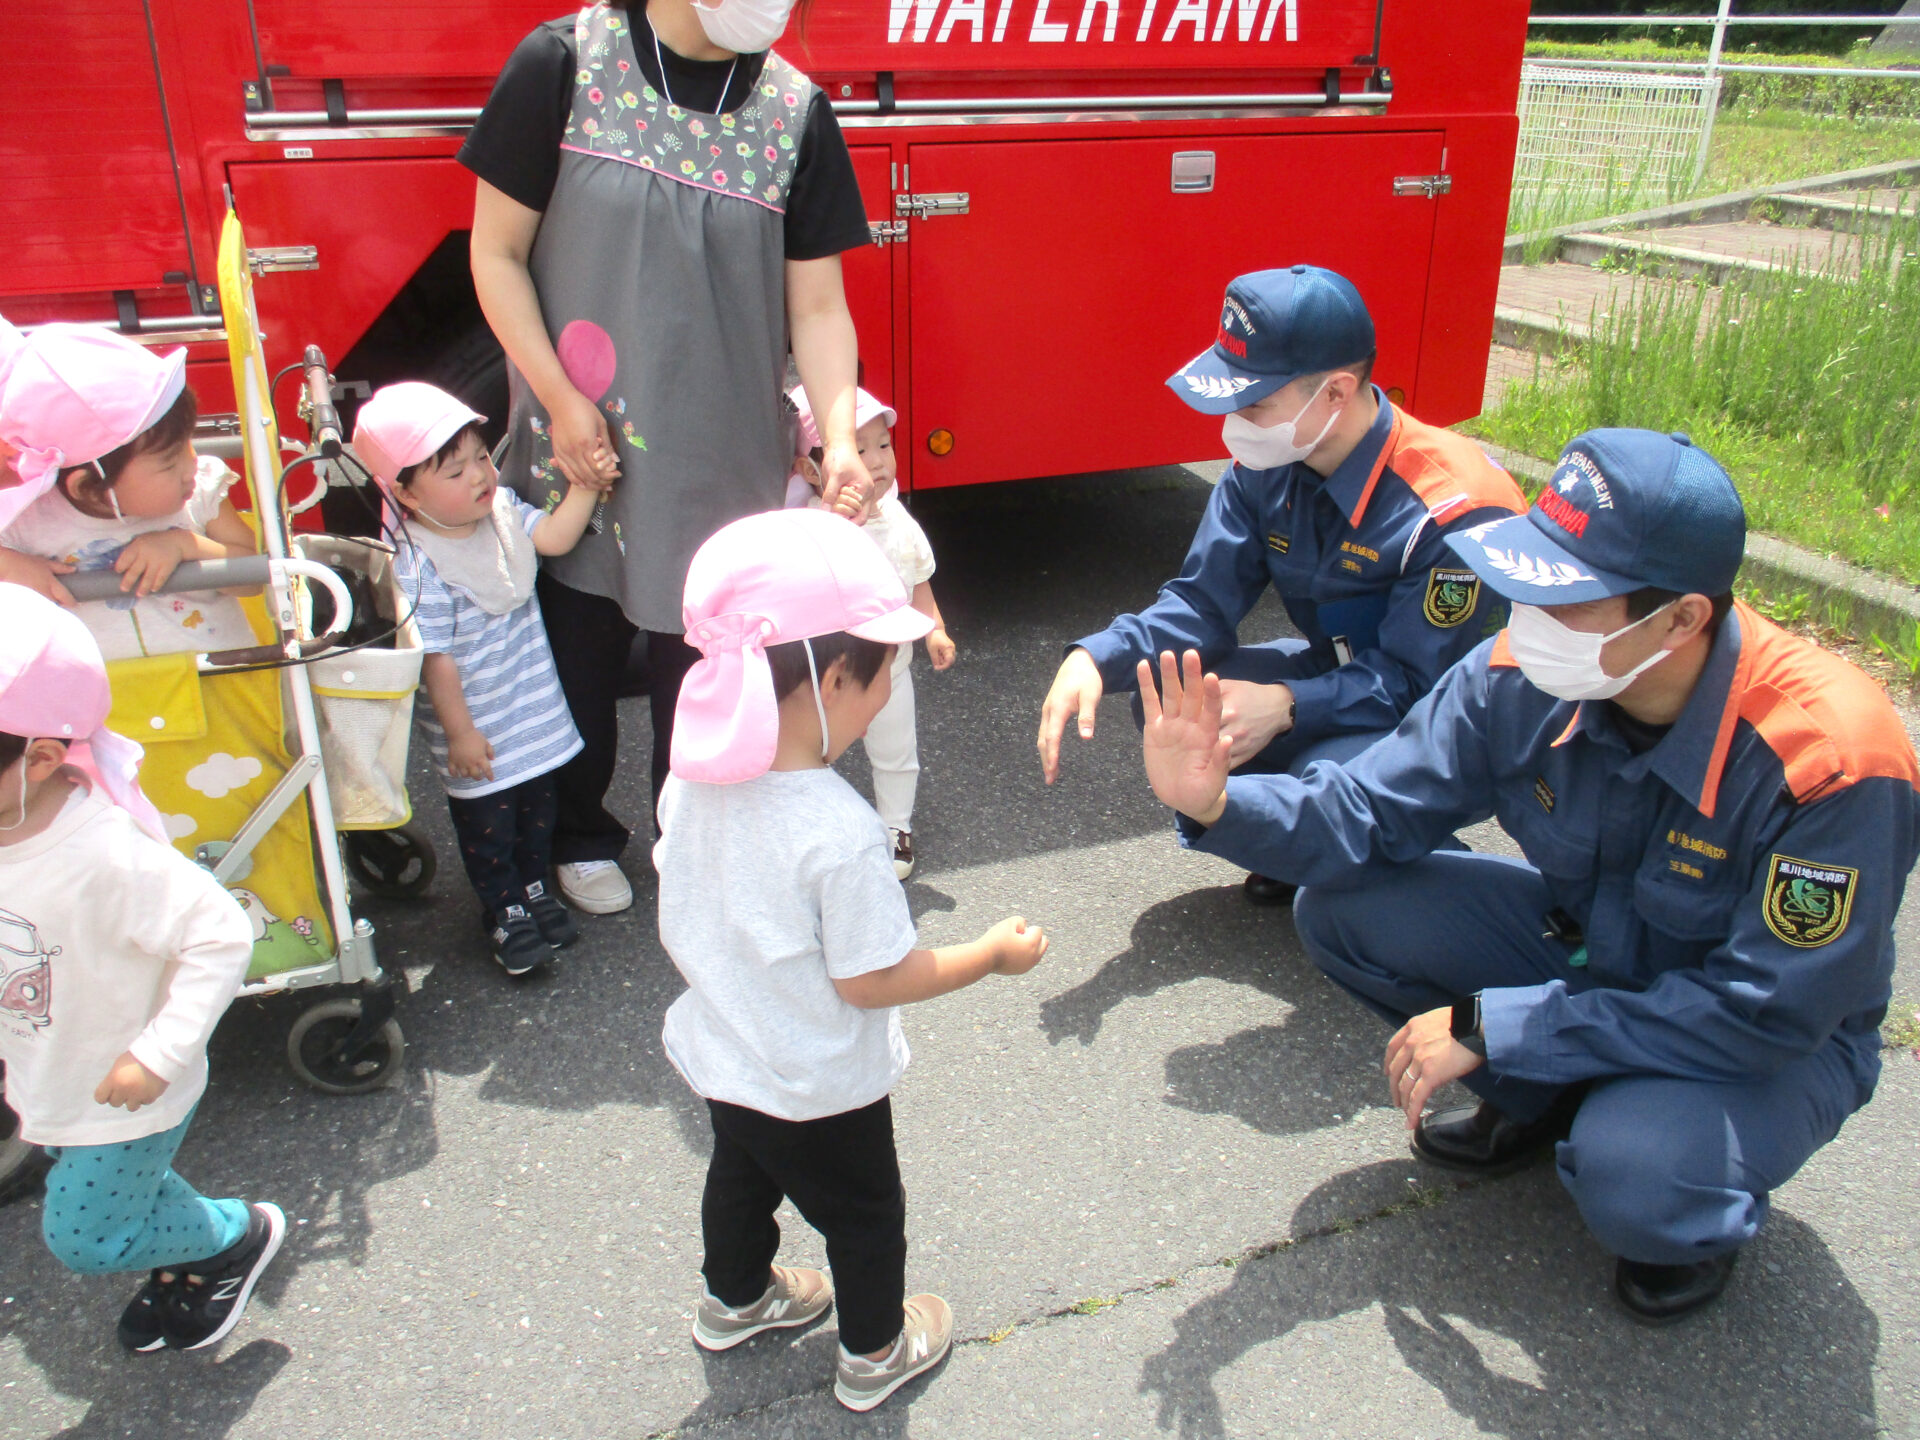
[(492, 708)]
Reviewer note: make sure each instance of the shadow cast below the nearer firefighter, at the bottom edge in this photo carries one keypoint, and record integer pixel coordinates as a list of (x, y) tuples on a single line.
[(1788, 1351)]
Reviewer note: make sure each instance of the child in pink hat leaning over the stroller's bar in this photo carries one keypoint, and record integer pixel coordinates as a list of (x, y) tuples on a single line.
[(101, 444)]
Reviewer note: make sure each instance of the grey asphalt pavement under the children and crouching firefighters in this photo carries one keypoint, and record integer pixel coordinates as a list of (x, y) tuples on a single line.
[(1157, 1178)]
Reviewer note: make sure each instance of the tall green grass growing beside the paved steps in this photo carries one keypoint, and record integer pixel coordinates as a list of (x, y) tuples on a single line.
[(1804, 387)]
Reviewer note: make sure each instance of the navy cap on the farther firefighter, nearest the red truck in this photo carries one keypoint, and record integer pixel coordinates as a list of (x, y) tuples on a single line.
[(1276, 327)]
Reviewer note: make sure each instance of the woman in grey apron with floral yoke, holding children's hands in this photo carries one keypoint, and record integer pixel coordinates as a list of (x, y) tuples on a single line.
[(661, 208)]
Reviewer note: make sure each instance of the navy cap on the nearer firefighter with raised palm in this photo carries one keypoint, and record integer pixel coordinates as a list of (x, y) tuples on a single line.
[(1625, 510)]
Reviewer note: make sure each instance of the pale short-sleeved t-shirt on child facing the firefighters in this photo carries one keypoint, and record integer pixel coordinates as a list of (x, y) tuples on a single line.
[(771, 892)]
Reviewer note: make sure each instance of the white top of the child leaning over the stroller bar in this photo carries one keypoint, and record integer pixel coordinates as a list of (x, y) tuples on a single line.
[(160, 625)]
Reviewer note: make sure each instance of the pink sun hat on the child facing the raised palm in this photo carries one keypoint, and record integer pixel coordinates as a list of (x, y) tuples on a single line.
[(769, 581)]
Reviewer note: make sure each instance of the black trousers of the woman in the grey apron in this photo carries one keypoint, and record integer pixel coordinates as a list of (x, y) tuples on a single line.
[(590, 640)]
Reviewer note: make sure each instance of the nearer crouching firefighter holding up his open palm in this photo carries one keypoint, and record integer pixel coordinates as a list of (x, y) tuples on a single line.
[(1685, 980)]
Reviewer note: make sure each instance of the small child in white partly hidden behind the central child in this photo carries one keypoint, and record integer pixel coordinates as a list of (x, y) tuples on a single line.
[(894, 740)]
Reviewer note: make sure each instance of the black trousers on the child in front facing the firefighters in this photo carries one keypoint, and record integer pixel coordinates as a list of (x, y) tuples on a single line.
[(844, 1176)]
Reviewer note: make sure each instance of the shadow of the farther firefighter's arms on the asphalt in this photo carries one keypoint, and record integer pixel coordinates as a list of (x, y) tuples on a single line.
[(1312, 1070)]
